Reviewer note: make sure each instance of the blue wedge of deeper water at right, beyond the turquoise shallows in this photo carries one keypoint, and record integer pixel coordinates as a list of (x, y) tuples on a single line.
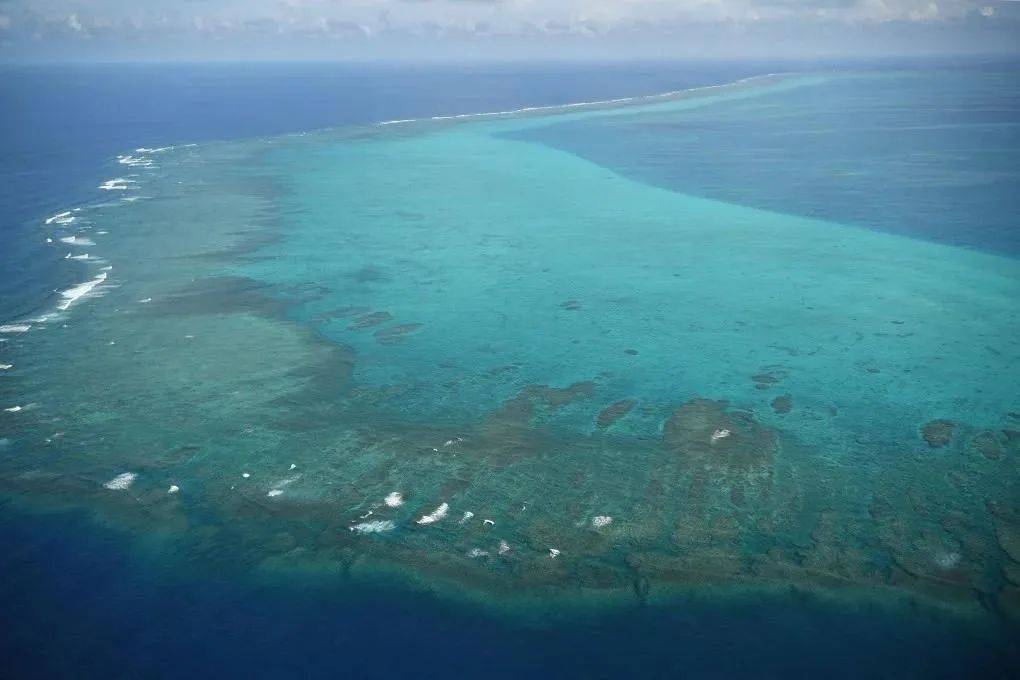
[(937, 164)]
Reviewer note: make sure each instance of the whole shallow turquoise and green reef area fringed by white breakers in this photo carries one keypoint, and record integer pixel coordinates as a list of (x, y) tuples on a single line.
[(483, 356)]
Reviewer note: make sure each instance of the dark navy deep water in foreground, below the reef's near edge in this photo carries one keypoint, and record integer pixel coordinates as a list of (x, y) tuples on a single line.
[(77, 604)]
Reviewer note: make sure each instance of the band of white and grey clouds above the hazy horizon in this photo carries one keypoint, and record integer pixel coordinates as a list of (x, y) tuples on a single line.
[(297, 26)]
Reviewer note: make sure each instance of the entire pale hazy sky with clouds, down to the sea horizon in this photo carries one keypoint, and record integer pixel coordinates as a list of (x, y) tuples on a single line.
[(484, 30)]
